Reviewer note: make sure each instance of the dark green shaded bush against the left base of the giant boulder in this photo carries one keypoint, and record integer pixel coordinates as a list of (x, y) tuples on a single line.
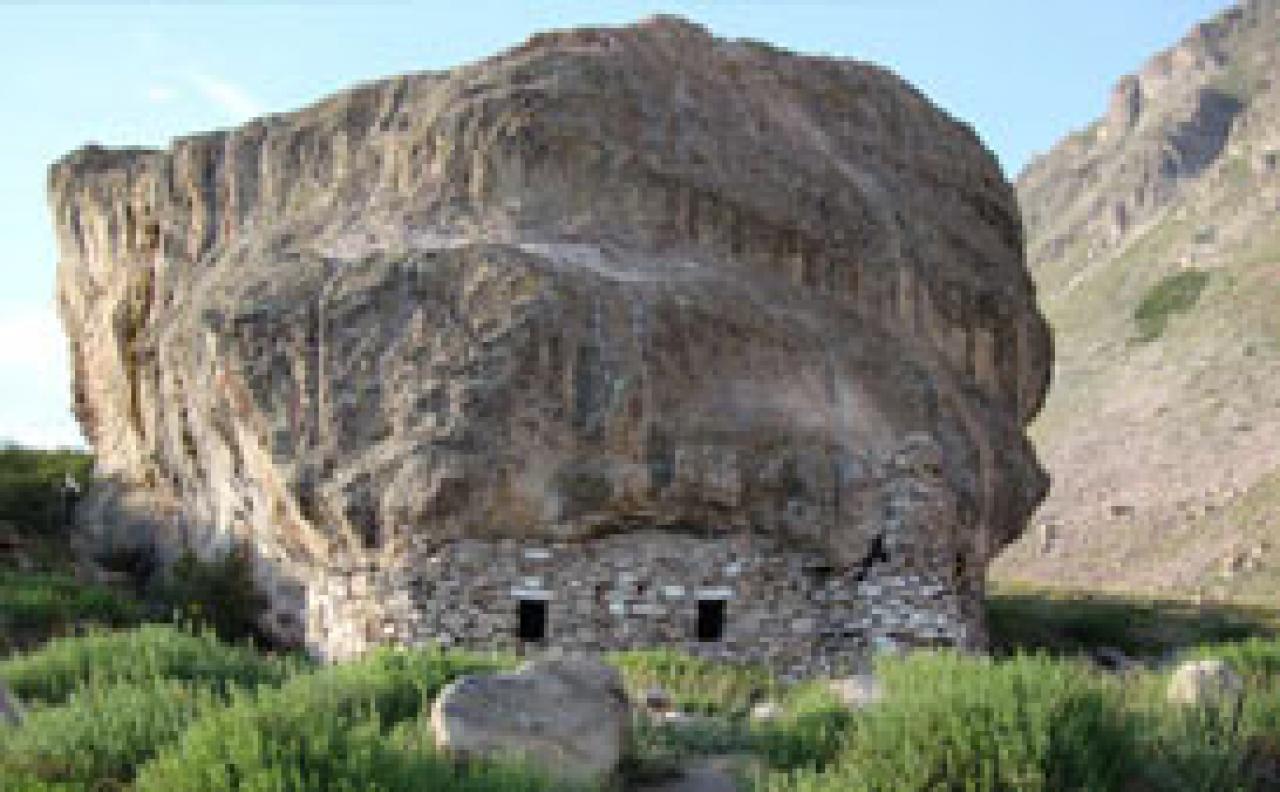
[(221, 594)]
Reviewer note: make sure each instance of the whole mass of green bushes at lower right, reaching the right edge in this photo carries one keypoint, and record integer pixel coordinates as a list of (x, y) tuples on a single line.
[(1037, 725)]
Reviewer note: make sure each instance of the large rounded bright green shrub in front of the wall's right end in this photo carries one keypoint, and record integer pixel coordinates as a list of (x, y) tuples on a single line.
[(1030, 725)]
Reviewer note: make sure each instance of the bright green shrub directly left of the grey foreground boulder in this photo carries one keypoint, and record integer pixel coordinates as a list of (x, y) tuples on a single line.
[(319, 731)]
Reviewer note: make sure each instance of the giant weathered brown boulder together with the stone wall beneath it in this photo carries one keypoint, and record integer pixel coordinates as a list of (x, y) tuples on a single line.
[(623, 322)]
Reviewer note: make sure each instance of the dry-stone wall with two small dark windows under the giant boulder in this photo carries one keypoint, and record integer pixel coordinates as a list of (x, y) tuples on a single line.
[(785, 608)]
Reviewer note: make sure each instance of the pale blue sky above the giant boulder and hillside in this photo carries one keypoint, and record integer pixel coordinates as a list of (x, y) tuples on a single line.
[(1022, 72)]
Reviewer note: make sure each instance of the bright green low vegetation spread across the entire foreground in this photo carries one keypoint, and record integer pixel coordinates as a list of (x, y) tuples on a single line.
[(157, 708)]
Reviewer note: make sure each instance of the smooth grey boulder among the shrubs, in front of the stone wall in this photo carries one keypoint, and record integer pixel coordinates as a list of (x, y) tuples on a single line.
[(570, 717)]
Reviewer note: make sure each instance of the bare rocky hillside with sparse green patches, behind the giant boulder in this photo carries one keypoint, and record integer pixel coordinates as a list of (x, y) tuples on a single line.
[(1155, 241)]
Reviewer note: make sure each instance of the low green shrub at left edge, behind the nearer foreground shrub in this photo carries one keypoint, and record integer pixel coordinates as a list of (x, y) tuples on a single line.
[(152, 652)]
